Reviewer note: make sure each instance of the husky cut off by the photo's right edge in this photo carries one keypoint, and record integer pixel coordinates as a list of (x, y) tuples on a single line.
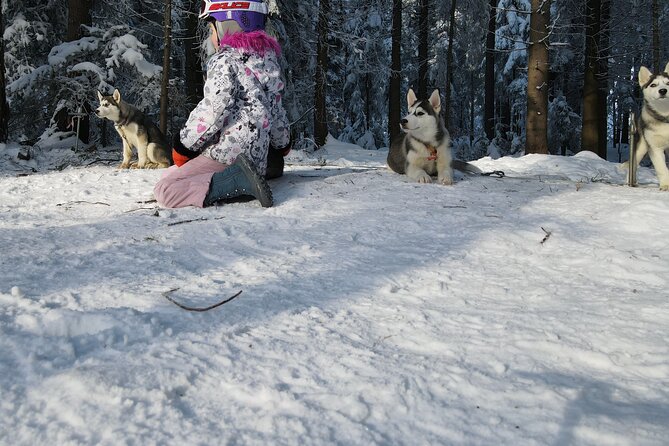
[(652, 125)]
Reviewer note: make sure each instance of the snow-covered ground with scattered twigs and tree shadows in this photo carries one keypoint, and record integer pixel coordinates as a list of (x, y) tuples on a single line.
[(526, 310)]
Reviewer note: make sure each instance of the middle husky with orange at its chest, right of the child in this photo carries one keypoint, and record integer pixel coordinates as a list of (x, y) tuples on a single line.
[(424, 148)]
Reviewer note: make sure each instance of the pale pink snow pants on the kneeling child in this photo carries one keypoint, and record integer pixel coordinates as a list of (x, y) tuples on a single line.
[(187, 185)]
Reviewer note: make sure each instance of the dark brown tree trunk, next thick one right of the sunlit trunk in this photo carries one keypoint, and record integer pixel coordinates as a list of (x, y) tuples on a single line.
[(591, 104)]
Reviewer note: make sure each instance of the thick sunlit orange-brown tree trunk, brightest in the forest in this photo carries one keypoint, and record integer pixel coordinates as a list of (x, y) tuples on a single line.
[(537, 79)]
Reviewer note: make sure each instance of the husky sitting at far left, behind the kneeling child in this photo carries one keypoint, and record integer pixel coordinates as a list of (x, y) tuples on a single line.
[(136, 130)]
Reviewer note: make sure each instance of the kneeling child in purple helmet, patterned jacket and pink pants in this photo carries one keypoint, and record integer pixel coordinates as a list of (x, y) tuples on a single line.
[(222, 150)]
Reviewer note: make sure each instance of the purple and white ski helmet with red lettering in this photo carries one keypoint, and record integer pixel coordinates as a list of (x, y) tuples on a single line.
[(249, 14)]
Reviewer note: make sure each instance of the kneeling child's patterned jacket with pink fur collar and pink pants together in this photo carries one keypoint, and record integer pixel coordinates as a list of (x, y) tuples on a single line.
[(241, 112)]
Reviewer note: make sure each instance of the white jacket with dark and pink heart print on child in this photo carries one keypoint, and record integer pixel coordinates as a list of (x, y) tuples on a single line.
[(241, 111)]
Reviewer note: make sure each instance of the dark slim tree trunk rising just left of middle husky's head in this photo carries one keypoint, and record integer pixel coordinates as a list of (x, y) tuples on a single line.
[(394, 94)]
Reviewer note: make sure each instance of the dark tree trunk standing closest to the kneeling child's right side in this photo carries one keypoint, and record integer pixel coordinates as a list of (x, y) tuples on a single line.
[(320, 112)]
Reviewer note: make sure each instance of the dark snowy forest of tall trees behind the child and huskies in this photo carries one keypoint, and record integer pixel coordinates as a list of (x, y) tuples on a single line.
[(525, 76)]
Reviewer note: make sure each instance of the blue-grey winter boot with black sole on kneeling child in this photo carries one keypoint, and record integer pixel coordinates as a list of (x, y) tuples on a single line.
[(237, 180)]
